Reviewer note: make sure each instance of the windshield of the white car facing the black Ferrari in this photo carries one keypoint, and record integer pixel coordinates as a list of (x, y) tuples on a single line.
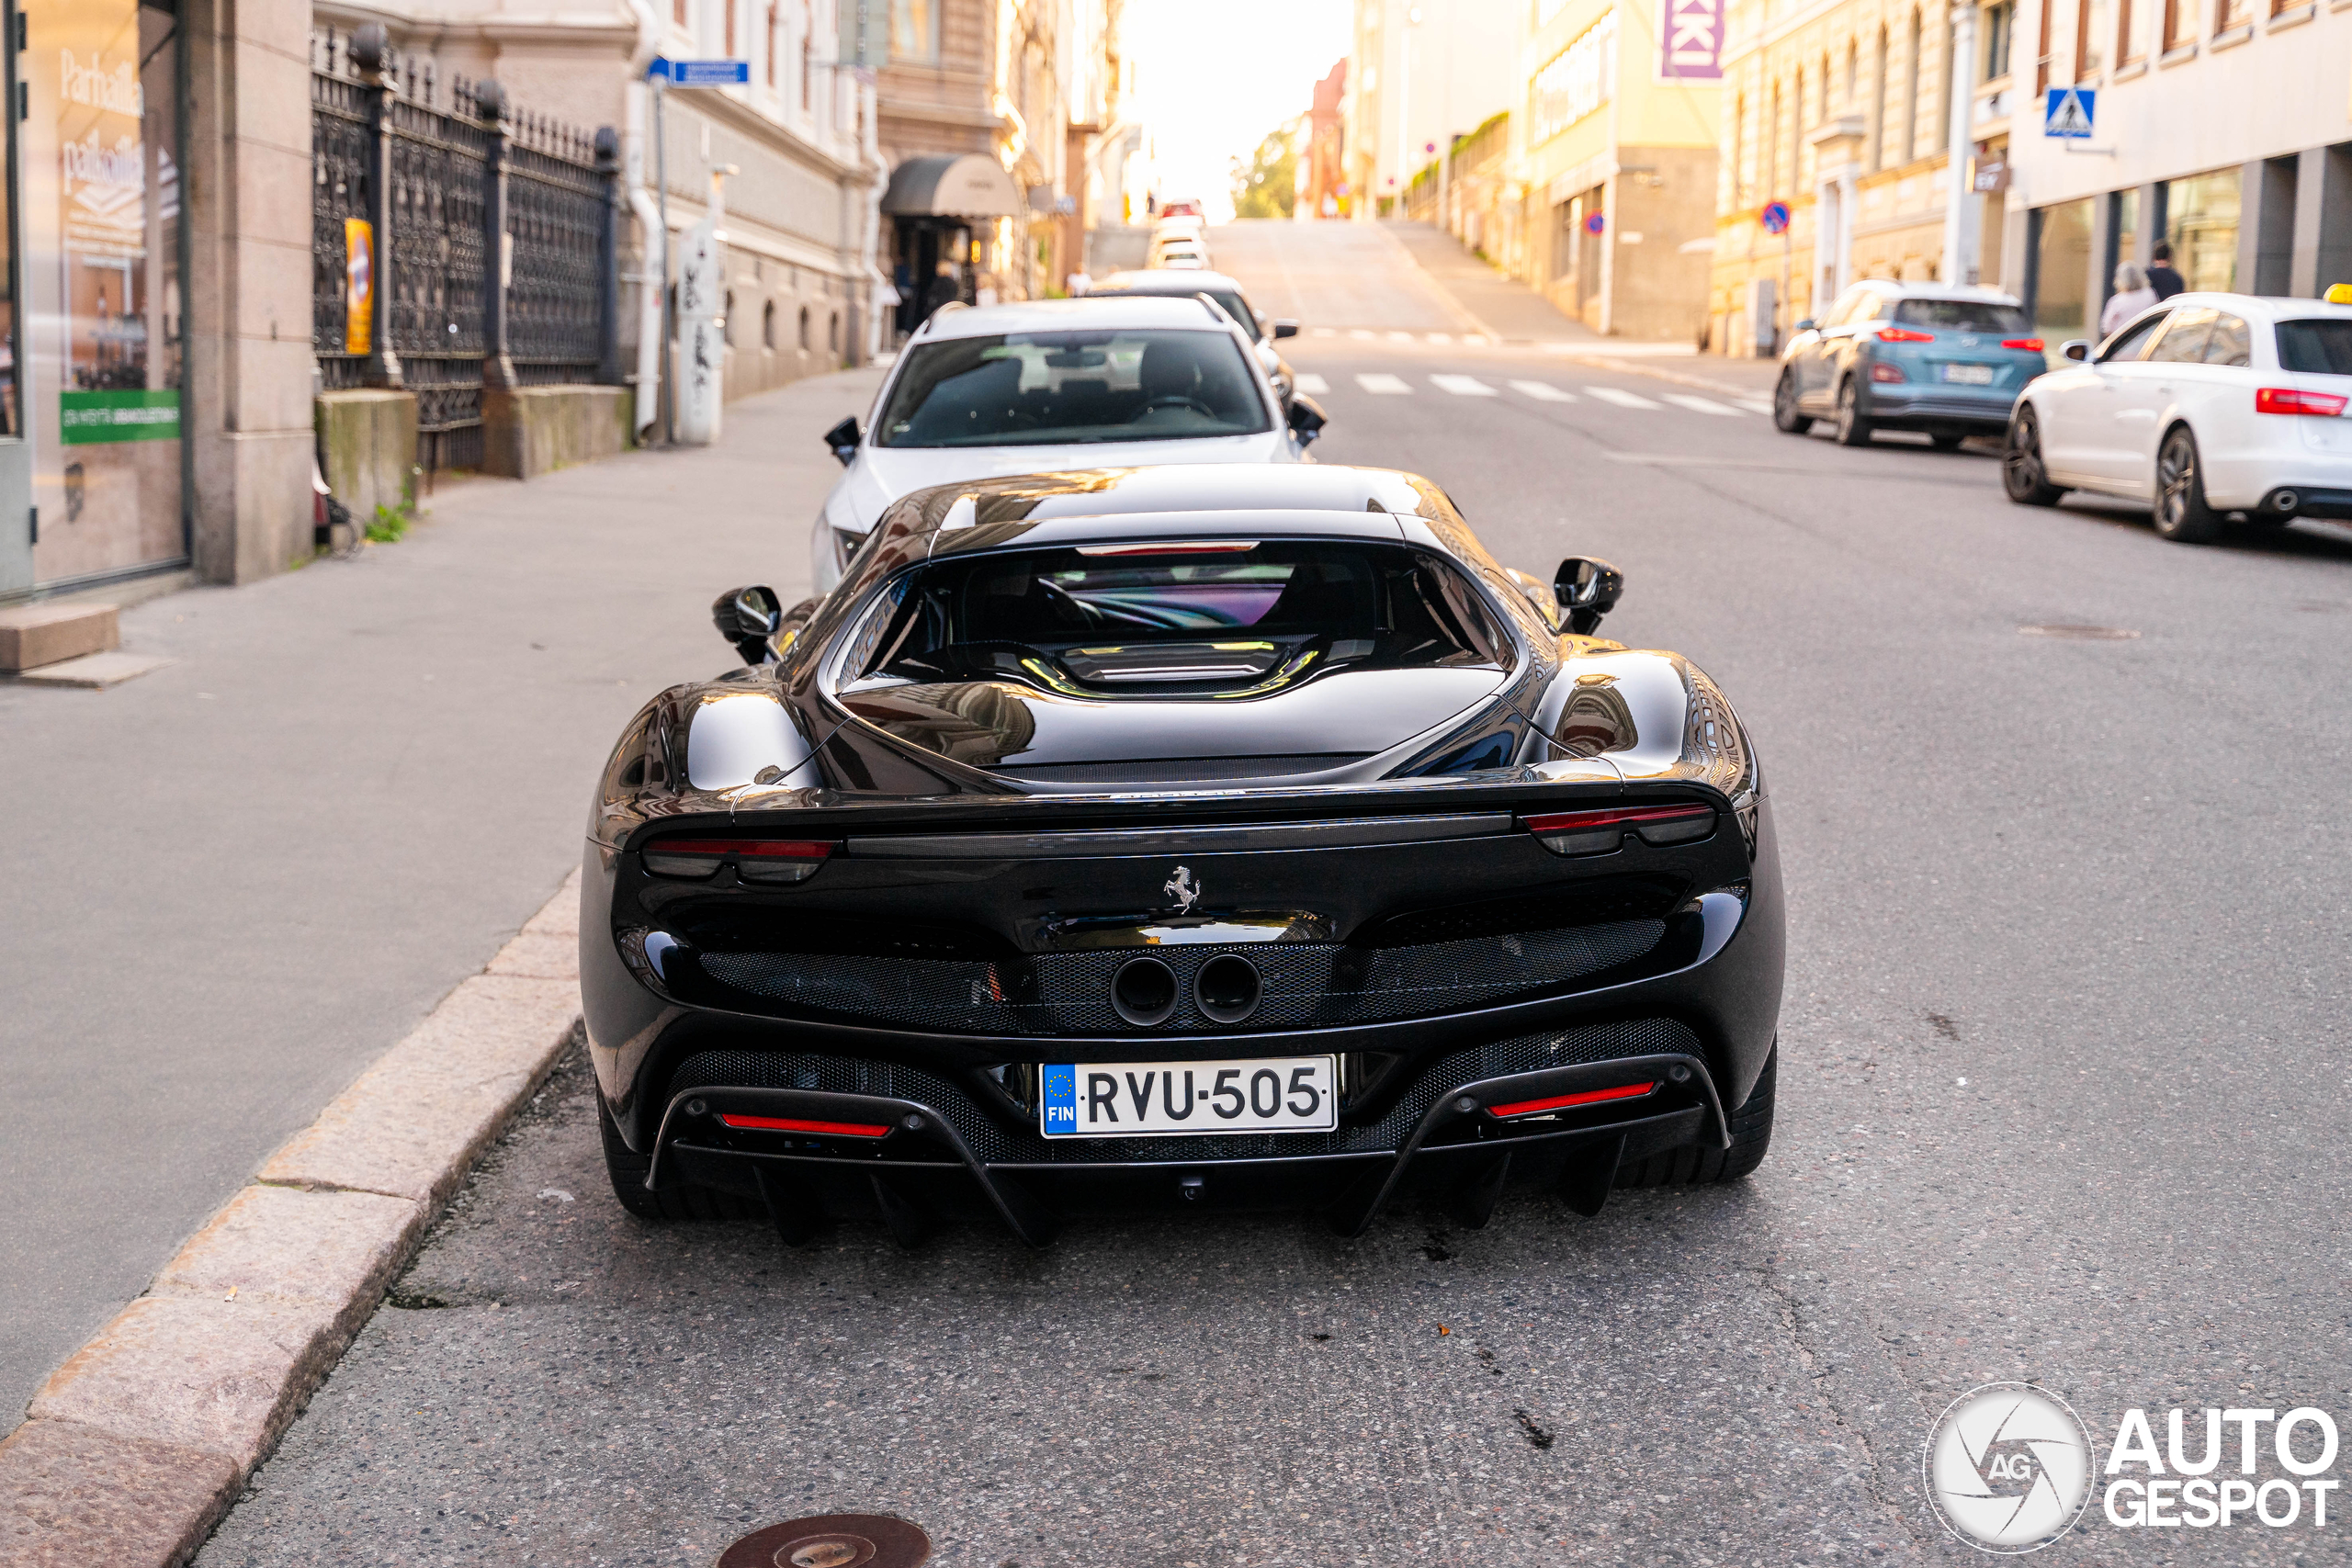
[(1034, 389)]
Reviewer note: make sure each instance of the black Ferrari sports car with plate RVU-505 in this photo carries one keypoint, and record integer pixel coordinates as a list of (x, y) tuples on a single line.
[(1182, 833)]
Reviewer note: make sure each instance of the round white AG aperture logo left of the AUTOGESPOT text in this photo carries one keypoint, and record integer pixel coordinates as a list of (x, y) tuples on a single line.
[(2007, 1468)]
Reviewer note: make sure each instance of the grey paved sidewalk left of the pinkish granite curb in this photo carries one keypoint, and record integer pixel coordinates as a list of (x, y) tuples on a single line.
[(239, 880)]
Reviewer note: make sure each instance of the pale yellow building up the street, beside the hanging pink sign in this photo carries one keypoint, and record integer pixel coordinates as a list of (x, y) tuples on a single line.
[(1617, 147)]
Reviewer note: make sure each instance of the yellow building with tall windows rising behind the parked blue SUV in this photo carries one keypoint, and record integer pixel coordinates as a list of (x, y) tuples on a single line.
[(1843, 112)]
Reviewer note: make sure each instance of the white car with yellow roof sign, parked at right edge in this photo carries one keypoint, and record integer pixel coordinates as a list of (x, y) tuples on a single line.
[(2203, 406)]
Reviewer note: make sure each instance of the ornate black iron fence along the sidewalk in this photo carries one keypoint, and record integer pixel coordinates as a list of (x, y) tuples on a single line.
[(460, 196)]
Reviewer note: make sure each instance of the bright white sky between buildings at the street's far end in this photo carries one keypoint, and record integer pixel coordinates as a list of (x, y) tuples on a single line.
[(1217, 76)]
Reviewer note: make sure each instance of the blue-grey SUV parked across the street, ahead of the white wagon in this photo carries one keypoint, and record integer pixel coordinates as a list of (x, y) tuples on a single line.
[(1909, 356)]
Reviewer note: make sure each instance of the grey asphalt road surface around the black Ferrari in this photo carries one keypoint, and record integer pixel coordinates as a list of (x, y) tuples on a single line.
[(2062, 1099)]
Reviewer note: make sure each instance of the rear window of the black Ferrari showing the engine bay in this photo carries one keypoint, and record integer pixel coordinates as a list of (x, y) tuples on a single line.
[(1196, 612)]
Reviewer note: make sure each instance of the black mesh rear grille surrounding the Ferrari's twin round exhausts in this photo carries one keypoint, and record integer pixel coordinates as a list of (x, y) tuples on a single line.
[(1069, 993)]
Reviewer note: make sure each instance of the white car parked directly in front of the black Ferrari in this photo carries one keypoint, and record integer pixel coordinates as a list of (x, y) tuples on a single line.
[(1097, 382)]
